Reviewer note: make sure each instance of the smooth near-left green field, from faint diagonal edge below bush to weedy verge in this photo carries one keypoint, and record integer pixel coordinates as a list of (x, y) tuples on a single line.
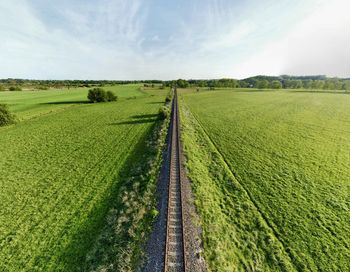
[(56, 171)]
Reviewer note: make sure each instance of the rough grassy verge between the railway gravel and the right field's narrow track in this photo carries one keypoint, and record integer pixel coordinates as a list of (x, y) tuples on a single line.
[(235, 235)]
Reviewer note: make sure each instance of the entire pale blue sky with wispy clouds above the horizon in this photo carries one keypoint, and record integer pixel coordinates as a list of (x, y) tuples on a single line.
[(144, 39)]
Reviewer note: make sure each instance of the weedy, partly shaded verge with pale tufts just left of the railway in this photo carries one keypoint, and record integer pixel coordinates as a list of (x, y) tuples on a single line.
[(119, 246)]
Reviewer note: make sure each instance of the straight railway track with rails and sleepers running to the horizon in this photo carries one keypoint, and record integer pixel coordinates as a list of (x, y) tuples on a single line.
[(175, 257)]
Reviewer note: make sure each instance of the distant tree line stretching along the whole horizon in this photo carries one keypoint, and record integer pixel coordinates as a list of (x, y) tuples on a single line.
[(259, 82)]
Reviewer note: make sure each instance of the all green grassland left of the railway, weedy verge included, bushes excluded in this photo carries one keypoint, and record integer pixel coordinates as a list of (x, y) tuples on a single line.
[(66, 165)]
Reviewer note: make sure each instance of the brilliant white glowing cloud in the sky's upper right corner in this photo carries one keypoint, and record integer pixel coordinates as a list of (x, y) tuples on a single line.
[(317, 45)]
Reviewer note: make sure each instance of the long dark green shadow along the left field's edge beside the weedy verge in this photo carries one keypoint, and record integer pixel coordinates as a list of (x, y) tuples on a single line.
[(74, 256)]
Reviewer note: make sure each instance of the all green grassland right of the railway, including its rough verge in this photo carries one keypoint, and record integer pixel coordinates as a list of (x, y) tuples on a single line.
[(271, 177)]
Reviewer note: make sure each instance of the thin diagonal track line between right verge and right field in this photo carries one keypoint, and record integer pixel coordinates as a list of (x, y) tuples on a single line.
[(236, 177)]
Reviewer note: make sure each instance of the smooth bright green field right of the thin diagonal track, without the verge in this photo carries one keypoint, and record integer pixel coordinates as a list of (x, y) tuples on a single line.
[(290, 152)]
